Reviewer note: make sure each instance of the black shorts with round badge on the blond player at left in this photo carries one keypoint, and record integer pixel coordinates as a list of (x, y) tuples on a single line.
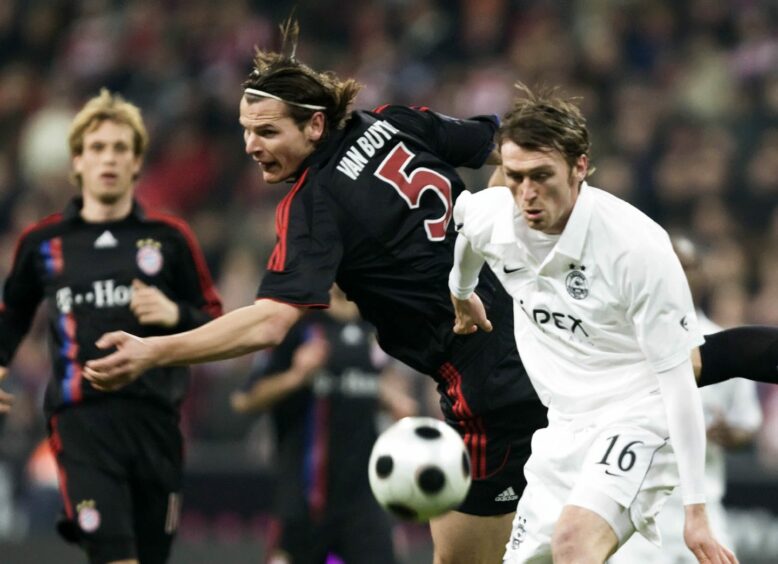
[(120, 465)]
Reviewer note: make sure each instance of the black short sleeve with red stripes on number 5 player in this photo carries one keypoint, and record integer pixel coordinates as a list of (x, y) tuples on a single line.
[(308, 250)]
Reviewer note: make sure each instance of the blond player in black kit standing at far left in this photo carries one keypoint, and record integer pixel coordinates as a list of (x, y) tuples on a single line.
[(103, 264)]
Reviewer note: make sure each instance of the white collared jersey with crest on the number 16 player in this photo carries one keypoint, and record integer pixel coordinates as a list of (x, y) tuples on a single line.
[(607, 309)]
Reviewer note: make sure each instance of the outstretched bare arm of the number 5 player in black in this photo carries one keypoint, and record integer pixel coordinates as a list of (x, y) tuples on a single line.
[(239, 332)]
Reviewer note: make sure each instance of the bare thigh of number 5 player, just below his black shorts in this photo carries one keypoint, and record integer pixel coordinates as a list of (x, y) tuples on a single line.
[(470, 539)]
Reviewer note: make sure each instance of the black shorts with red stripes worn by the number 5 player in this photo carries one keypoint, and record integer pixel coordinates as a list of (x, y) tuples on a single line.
[(492, 405)]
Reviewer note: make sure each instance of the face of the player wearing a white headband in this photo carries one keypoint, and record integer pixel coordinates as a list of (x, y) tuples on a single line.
[(274, 140)]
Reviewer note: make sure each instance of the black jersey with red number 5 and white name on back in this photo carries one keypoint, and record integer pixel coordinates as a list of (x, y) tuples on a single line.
[(371, 210)]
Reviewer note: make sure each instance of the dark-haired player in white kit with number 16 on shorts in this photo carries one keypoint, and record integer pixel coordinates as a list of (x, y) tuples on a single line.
[(604, 323)]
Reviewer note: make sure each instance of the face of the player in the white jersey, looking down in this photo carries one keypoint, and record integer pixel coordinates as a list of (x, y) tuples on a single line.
[(544, 186)]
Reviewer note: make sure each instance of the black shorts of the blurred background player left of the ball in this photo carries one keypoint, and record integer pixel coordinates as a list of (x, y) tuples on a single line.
[(360, 533)]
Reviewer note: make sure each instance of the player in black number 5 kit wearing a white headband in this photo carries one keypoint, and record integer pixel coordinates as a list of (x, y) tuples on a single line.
[(370, 207)]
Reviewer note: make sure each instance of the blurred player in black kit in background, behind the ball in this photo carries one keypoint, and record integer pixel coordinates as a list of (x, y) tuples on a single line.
[(323, 388)]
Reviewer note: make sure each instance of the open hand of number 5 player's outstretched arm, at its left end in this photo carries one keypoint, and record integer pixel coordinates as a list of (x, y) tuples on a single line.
[(132, 357)]
